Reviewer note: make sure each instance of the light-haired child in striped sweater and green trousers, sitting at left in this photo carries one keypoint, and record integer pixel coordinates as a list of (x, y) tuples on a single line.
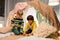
[(17, 23)]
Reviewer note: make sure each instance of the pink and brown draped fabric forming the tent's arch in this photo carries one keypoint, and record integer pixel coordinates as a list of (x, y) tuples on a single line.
[(43, 8)]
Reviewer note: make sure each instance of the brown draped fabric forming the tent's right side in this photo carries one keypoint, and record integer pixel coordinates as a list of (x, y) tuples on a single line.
[(47, 11)]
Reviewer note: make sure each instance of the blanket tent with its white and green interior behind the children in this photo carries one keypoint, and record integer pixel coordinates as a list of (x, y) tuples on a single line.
[(39, 10)]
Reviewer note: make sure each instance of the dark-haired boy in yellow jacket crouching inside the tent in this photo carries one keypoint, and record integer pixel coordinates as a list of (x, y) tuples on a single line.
[(30, 26)]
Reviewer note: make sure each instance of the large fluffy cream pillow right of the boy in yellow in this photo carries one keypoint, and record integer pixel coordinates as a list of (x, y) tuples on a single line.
[(44, 30)]
